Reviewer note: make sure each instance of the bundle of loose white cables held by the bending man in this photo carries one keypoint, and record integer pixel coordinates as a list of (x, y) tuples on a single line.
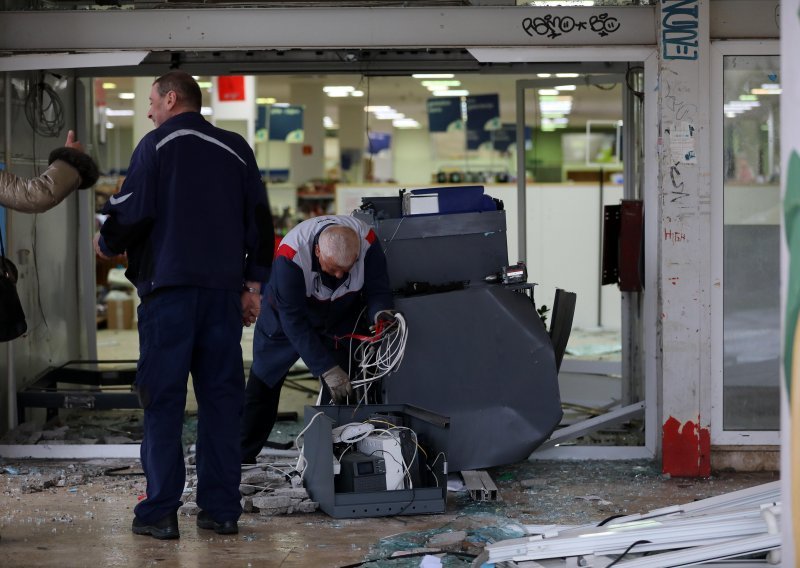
[(378, 356)]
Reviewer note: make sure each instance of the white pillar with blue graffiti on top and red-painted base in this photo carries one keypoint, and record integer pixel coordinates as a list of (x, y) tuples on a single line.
[(684, 241)]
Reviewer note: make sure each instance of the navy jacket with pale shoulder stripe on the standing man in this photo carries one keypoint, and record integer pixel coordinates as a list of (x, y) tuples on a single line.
[(192, 211)]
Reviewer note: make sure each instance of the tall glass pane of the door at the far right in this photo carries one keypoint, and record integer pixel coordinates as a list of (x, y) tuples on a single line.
[(751, 193)]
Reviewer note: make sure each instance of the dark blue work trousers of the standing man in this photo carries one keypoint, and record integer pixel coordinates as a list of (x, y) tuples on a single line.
[(197, 330)]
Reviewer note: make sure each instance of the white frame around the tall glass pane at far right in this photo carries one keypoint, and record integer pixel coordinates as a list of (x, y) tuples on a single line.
[(719, 436)]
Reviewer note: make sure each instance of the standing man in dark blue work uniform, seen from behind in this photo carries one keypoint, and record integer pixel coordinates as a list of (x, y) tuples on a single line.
[(194, 220)]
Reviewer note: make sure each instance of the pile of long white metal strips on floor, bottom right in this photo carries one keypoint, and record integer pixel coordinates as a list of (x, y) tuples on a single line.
[(741, 523)]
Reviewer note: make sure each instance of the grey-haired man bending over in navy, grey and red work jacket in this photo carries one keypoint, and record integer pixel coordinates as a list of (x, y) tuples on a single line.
[(327, 271)]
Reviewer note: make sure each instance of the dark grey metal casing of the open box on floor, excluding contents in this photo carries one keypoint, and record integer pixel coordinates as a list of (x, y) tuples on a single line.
[(432, 431)]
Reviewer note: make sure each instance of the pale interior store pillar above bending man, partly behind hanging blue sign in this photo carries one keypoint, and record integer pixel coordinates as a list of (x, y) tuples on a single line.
[(307, 160)]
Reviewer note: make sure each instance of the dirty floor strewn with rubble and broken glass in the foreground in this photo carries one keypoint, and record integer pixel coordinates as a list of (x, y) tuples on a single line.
[(79, 513)]
